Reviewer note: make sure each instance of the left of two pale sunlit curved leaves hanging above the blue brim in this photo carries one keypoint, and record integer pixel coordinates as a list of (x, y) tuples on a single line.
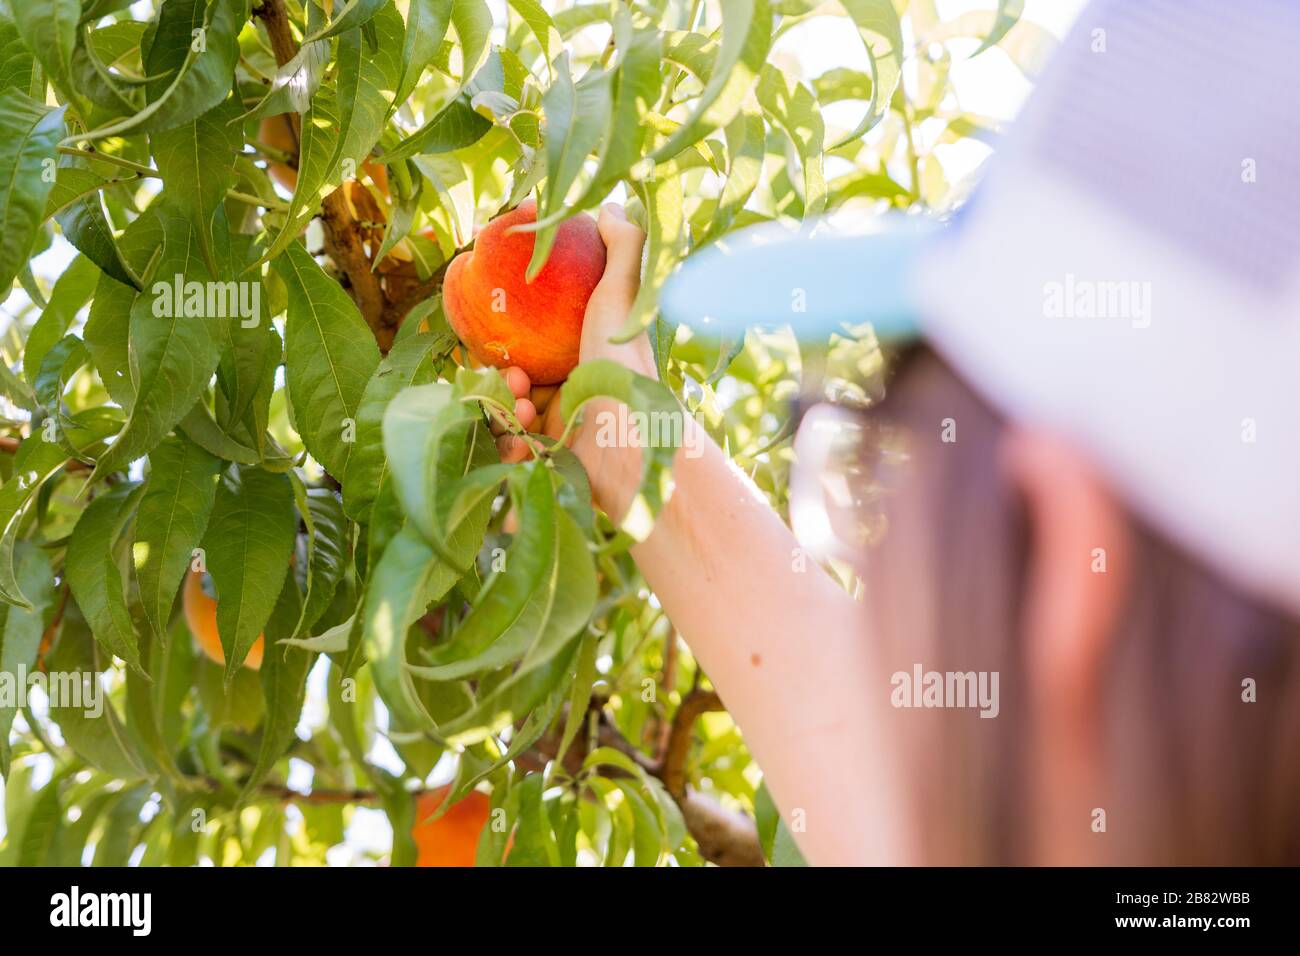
[(742, 55)]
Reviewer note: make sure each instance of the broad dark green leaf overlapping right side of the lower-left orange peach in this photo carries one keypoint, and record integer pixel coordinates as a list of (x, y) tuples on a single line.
[(249, 544)]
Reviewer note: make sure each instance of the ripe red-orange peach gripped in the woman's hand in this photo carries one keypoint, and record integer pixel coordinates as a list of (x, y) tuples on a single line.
[(506, 321)]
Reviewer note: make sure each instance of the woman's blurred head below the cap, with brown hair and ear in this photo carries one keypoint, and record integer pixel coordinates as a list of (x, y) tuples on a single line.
[(1146, 711)]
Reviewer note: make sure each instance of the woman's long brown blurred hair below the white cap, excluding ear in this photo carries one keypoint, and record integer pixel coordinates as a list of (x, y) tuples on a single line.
[(1193, 773)]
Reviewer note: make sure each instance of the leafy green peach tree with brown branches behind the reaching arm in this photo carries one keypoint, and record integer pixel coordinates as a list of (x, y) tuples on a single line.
[(224, 227)]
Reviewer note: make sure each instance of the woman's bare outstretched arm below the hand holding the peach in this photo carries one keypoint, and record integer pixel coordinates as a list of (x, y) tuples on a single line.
[(779, 639)]
